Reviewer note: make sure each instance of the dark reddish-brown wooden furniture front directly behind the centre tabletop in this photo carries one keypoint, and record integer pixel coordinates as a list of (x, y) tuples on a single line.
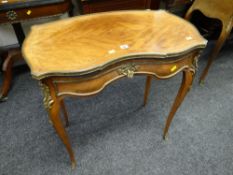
[(106, 5)]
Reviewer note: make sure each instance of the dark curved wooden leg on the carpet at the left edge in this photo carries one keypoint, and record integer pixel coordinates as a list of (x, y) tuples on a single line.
[(8, 63)]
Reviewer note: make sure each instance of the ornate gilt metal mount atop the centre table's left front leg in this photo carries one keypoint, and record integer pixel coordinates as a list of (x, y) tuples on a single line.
[(47, 100)]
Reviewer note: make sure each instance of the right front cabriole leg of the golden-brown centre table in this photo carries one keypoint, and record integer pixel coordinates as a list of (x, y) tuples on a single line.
[(184, 88)]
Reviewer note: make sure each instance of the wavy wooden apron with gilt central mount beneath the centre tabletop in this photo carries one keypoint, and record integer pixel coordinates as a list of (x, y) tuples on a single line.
[(90, 85)]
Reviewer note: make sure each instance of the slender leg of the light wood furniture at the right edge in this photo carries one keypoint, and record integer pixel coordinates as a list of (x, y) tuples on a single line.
[(221, 40)]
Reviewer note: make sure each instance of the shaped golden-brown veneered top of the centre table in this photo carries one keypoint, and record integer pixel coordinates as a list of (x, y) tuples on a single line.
[(83, 44)]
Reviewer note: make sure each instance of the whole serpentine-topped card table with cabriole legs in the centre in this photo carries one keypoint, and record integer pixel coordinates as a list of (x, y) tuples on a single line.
[(82, 55)]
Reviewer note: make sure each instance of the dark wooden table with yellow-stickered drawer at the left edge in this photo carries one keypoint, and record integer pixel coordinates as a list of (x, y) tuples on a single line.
[(14, 12)]
